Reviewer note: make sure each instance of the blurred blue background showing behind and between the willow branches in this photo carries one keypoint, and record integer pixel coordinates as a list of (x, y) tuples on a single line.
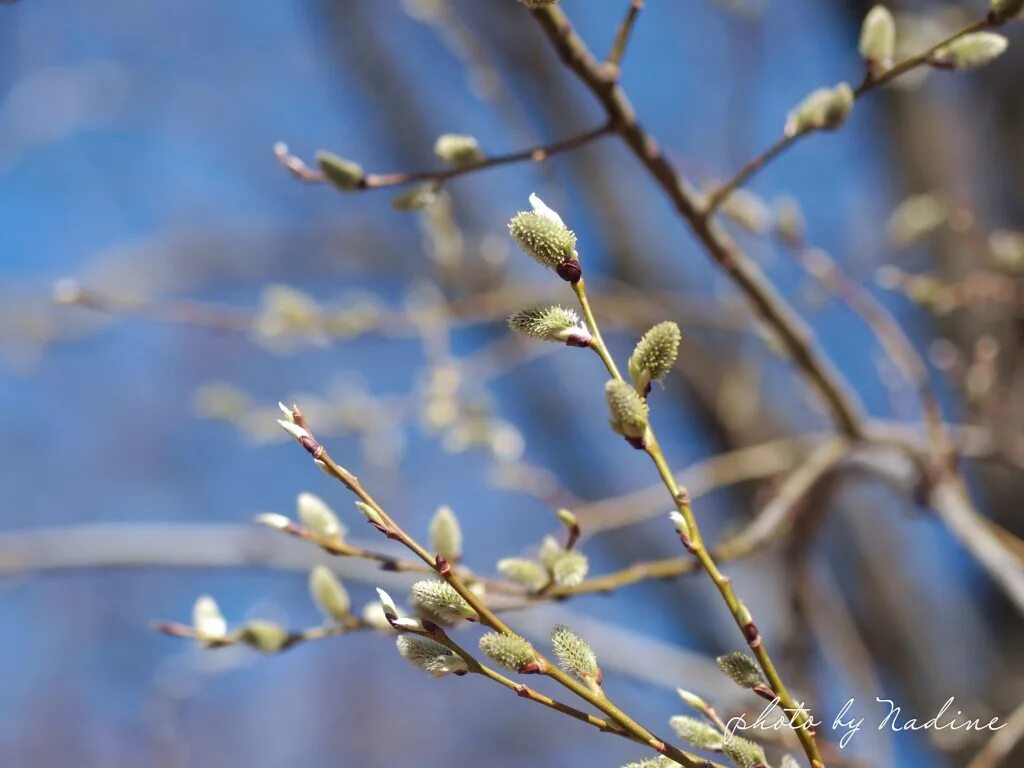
[(136, 157)]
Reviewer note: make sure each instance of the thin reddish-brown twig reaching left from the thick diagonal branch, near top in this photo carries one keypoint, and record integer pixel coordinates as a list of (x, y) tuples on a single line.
[(539, 154)]
